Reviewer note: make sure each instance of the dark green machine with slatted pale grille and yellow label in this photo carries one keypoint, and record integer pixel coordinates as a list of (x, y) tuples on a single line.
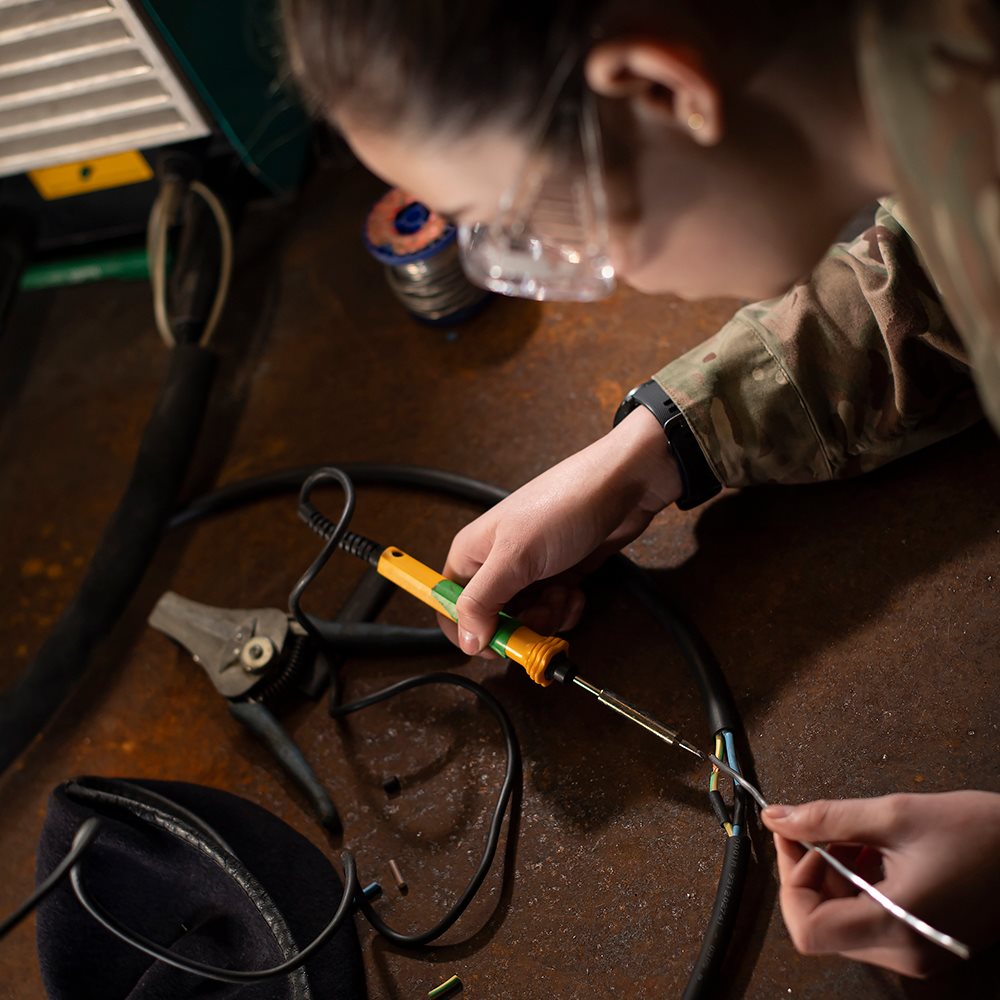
[(94, 94)]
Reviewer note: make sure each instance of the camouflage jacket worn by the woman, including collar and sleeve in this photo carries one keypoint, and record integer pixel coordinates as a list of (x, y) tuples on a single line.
[(882, 350)]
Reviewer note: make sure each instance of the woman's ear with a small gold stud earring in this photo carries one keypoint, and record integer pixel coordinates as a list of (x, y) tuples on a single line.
[(663, 82)]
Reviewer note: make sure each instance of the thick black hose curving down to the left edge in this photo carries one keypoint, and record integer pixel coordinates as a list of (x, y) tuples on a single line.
[(123, 553)]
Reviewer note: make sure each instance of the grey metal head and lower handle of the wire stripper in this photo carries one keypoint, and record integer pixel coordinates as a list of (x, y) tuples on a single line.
[(250, 655)]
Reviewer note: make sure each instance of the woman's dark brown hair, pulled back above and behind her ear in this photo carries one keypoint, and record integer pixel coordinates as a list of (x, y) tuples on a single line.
[(453, 64)]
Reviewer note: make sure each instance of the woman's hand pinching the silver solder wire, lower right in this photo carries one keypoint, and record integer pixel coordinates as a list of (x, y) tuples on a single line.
[(935, 855)]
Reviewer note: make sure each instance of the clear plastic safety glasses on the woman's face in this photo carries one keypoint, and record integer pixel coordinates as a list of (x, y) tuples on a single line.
[(549, 237)]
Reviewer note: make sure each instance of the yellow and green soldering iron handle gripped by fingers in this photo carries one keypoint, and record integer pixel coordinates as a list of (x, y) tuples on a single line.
[(513, 640)]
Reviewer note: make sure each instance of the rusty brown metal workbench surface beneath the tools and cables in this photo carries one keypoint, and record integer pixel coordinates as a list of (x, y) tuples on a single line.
[(857, 622)]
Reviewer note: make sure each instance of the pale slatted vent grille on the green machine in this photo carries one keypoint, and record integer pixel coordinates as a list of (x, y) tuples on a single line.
[(84, 78)]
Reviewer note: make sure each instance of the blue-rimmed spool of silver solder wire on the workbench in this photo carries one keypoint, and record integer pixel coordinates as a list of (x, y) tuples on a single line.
[(419, 250)]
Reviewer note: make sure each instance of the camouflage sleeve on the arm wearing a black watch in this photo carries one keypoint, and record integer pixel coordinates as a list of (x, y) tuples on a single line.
[(849, 370)]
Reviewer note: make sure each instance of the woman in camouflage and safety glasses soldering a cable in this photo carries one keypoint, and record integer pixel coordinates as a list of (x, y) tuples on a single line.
[(705, 153)]
